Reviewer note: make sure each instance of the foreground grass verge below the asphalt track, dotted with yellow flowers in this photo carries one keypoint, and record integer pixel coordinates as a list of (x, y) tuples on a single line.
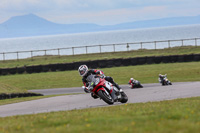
[(180, 116)]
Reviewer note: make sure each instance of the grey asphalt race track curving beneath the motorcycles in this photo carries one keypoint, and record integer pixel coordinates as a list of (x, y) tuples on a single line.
[(150, 92)]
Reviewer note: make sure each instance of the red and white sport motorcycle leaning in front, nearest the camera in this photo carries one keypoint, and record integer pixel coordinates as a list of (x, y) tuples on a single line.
[(105, 90)]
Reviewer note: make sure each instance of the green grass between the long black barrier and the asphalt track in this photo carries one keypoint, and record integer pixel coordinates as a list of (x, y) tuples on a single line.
[(177, 72)]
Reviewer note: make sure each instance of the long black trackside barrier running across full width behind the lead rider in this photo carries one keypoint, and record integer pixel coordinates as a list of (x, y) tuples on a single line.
[(101, 64)]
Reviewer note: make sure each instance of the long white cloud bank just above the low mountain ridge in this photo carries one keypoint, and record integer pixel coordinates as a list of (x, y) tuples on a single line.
[(114, 16)]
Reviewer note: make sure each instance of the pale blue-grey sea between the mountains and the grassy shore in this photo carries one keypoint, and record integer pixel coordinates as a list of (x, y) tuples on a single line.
[(104, 41)]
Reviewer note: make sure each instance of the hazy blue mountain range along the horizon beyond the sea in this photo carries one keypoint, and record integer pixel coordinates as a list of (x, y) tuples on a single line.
[(32, 25)]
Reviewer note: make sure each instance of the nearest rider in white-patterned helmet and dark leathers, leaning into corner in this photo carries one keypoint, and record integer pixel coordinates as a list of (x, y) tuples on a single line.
[(84, 72)]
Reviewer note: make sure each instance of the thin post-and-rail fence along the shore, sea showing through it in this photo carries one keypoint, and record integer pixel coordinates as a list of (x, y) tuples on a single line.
[(100, 48)]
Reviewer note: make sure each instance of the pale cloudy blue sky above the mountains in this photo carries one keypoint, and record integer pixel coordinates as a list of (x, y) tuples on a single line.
[(102, 12)]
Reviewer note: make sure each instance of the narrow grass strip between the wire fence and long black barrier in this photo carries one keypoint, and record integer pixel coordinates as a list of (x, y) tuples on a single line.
[(42, 60)]
